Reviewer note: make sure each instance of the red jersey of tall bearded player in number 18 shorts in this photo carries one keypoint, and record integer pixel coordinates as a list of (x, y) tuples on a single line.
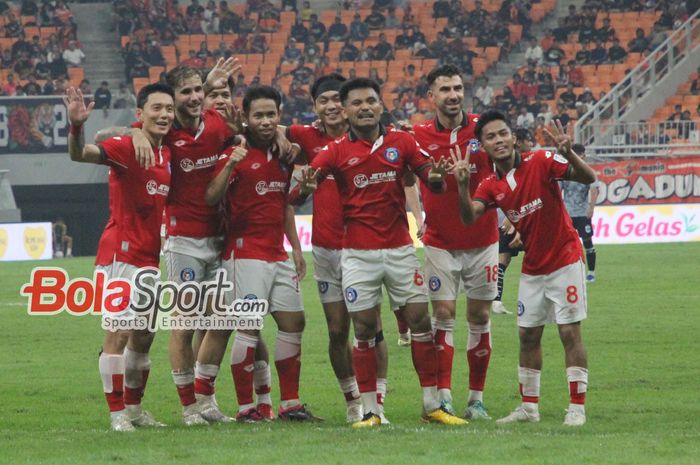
[(443, 228)]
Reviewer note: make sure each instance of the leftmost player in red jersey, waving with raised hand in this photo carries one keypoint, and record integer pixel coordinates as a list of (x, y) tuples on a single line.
[(131, 238)]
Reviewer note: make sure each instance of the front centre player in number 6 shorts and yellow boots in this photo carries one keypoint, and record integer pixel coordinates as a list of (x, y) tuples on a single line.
[(369, 165)]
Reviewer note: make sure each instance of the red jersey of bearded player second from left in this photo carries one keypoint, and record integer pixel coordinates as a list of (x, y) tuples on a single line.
[(194, 157)]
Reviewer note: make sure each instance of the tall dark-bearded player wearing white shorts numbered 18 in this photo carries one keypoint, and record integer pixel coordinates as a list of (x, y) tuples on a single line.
[(458, 256)]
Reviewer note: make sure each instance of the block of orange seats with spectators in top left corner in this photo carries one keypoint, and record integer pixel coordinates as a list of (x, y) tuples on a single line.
[(39, 50)]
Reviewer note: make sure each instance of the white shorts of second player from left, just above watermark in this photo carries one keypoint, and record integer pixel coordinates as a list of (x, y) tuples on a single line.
[(192, 259)]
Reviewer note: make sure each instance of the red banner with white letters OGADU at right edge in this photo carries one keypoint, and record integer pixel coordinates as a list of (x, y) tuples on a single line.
[(649, 181)]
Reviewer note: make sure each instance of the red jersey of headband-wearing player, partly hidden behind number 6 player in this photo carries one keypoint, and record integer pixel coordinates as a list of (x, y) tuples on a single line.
[(327, 227)]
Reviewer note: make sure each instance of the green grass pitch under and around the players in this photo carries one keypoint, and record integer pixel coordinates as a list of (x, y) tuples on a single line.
[(643, 408)]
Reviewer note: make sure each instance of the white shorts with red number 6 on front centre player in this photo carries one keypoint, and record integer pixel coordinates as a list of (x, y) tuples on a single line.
[(364, 272)]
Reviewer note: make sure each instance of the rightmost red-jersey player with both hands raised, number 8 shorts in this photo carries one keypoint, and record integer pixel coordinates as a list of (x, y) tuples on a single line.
[(552, 284)]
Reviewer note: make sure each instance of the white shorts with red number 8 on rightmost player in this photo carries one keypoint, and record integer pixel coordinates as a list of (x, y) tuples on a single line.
[(558, 297)]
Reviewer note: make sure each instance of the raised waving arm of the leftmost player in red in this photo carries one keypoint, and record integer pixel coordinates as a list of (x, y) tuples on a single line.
[(78, 113)]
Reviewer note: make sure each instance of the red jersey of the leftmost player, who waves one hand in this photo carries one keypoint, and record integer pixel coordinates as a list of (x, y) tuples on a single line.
[(136, 202)]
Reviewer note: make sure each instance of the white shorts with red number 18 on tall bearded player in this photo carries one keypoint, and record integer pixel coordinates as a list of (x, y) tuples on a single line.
[(474, 270)]
